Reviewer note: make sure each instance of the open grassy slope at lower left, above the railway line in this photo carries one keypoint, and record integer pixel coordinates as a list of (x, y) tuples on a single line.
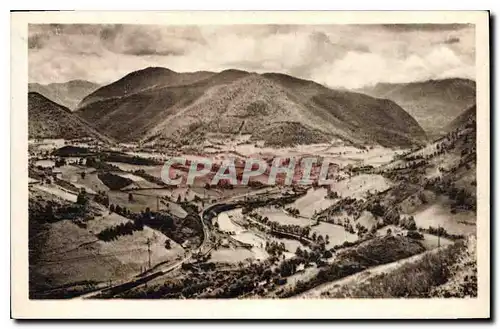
[(66, 254)]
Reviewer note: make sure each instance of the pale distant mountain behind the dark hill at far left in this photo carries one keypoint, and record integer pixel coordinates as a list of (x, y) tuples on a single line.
[(68, 94)]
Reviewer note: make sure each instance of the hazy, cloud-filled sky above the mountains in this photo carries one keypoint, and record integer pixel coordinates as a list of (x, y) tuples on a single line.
[(348, 56)]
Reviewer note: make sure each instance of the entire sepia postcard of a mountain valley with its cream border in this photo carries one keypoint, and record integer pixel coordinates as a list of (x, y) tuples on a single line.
[(291, 160)]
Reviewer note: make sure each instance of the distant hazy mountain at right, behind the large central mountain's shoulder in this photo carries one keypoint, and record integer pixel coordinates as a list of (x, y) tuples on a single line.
[(434, 103)]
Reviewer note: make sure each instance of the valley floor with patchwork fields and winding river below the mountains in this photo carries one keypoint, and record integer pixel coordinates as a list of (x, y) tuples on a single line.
[(133, 237)]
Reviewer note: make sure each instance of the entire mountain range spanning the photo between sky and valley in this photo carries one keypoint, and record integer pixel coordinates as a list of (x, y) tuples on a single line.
[(160, 106)]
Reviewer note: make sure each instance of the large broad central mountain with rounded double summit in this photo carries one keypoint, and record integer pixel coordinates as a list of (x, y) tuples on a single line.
[(159, 105)]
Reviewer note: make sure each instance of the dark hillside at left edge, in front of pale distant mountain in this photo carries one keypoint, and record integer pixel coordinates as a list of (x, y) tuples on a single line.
[(50, 120)]
